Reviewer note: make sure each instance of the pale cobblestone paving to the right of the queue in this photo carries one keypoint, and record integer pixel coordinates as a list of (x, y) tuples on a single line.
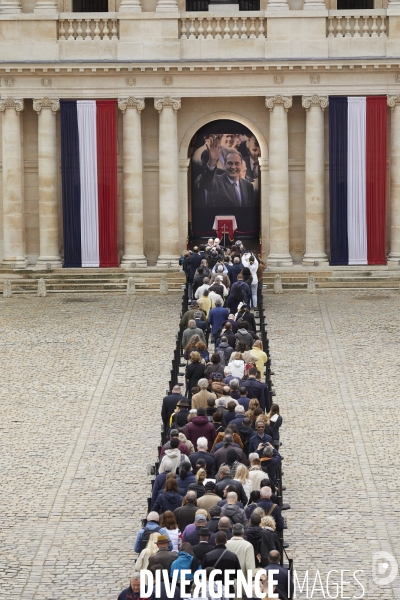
[(336, 362)]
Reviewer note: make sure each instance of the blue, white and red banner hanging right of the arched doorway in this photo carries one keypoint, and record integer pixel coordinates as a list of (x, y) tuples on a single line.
[(357, 179)]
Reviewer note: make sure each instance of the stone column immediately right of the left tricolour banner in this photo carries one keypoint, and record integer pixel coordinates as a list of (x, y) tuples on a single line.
[(133, 182)]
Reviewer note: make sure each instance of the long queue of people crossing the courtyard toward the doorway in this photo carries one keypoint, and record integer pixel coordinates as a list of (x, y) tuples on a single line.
[(214, 502)]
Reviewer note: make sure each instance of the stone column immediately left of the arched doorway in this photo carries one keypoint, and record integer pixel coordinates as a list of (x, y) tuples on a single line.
[(170, 242)]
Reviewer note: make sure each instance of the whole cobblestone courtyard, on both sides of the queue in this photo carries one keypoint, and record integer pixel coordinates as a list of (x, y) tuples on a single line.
[(81, 384)]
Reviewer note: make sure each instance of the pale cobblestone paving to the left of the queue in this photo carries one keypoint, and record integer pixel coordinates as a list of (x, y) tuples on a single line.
[(77, 374)]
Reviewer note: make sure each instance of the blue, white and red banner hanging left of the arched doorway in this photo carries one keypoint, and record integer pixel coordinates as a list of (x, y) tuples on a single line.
[(89, 182)]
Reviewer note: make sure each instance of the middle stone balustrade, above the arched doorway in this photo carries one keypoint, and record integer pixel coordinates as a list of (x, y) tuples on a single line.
[(196, 27)]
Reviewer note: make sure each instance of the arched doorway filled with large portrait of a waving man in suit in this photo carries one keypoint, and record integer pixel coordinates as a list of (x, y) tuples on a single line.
[(225, 180)]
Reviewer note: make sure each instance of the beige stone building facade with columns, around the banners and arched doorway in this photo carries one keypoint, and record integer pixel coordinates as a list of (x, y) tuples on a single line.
[(173, 71)]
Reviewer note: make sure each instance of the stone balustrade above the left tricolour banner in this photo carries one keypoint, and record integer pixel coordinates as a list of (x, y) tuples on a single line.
[(85, 27)]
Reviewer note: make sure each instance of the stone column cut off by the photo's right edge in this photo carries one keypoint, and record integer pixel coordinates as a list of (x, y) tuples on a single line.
[(394, 254)]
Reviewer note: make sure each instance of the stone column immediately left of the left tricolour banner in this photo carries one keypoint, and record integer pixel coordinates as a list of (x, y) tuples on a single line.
[(47, 109)]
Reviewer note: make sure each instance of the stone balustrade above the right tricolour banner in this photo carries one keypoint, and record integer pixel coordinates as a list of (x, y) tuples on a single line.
[(365, 24)]
